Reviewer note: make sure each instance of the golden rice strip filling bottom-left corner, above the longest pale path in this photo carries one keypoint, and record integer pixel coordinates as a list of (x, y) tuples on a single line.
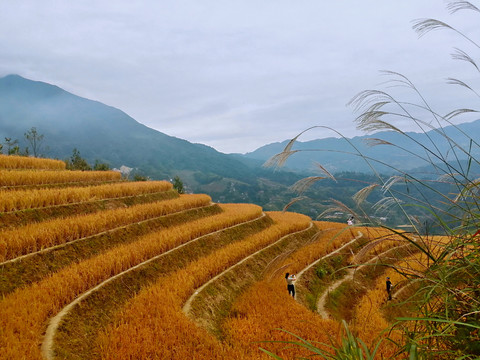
[(24, 313)]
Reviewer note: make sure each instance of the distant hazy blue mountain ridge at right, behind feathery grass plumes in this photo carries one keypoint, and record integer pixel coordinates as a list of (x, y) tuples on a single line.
[(338, 154)]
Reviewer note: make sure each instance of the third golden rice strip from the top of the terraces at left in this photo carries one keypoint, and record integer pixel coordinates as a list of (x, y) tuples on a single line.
[(15, 200)]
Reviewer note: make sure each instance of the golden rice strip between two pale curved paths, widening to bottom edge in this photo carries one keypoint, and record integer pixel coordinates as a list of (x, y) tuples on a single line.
[(142, 333)]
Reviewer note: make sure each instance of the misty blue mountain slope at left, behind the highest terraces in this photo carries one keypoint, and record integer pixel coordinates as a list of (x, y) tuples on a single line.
[(102, 132)]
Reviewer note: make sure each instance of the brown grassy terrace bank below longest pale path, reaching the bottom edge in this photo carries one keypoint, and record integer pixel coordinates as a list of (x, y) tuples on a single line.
[(94, 309)]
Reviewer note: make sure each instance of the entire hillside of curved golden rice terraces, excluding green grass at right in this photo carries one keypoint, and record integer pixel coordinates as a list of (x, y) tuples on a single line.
[(174, 277)]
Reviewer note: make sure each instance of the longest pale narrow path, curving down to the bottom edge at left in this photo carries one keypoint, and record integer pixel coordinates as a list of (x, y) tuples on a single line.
[(47, 346)]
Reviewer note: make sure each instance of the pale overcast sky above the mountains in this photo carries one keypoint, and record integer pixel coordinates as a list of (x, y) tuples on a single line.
[(236, 75)]
